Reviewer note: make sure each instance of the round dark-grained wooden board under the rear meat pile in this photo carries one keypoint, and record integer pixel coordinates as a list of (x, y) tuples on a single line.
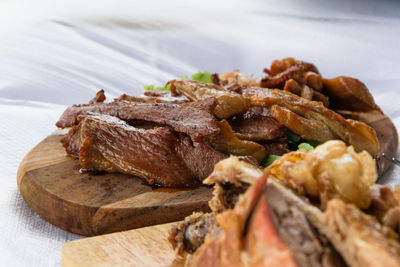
[(93, 204)]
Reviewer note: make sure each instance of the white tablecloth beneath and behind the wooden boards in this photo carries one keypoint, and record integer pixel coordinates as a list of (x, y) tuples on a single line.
[(53, 54)]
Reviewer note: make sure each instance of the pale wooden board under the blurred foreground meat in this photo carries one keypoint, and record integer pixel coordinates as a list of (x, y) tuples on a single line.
[(147, 247)]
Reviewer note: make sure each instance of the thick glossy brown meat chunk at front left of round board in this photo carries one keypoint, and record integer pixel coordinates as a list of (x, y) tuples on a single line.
[(157, 155)]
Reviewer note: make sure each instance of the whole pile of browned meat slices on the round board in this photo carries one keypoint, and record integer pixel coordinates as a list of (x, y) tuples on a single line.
[(173, 139)]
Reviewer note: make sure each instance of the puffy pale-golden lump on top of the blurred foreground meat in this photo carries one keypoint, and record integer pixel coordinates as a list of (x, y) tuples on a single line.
[(331, 170)]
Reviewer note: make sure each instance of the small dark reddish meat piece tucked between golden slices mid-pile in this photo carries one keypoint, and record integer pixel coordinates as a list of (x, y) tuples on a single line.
[(257, 124)]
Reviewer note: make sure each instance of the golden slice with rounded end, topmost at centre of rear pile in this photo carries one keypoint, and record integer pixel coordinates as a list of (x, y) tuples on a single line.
[(229, 103)]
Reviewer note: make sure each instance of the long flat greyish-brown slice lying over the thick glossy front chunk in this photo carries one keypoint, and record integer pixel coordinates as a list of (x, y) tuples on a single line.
[(194, 118)]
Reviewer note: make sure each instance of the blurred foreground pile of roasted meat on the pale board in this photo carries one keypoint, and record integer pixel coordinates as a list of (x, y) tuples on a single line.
[(319, 208)]
